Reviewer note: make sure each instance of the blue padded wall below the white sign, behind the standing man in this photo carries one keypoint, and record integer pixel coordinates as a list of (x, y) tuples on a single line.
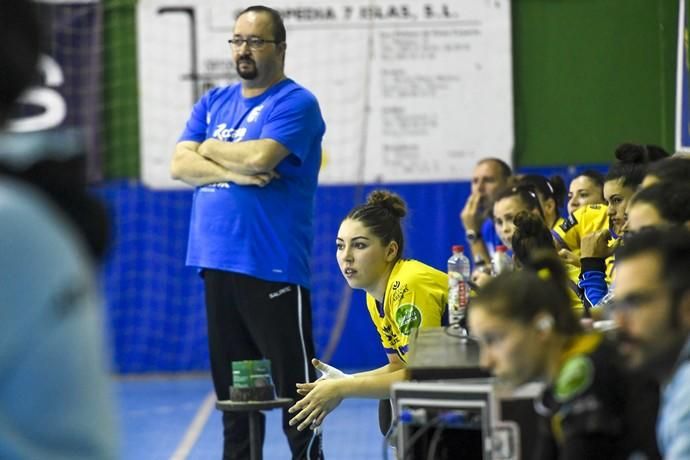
[(154, 304)]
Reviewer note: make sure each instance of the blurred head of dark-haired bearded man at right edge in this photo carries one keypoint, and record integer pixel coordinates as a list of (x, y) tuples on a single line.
[(652, 297)]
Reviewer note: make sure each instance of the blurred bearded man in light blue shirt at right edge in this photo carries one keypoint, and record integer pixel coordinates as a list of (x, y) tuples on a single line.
[(652, 310)]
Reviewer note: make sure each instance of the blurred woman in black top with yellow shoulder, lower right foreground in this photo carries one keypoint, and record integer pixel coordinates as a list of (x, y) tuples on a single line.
[(590, 407)]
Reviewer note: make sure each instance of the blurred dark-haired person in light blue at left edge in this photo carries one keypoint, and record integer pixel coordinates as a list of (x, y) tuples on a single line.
[(55, 399)]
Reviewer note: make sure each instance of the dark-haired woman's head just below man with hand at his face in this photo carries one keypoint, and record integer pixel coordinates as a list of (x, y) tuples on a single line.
[(508, 202)]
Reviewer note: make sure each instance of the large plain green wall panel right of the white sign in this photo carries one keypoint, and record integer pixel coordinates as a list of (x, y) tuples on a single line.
[(590, 74)]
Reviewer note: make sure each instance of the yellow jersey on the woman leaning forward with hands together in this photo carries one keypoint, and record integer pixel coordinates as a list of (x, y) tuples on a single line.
[(416, 297)]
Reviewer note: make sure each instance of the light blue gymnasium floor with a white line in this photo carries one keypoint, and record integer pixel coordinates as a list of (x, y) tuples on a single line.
[(174, 418)]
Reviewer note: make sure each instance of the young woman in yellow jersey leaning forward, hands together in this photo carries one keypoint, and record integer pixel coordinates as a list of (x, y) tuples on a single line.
[(402, 295)]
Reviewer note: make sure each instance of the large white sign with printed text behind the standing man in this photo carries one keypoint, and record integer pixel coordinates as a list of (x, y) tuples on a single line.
[(413, 91)]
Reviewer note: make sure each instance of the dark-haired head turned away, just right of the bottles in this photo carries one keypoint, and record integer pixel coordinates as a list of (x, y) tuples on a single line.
[(531, 235)]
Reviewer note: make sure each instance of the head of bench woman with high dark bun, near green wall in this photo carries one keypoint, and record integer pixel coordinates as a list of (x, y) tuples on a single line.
[(624, 177)]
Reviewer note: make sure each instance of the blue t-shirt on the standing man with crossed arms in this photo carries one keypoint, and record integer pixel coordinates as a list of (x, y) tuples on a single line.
[(262, 232)]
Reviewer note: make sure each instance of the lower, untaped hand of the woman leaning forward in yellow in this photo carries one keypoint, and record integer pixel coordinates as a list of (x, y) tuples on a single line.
[(320, 398)]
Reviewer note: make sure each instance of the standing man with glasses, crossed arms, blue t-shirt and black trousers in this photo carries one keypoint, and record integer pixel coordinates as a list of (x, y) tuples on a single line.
[(252, 150)]
